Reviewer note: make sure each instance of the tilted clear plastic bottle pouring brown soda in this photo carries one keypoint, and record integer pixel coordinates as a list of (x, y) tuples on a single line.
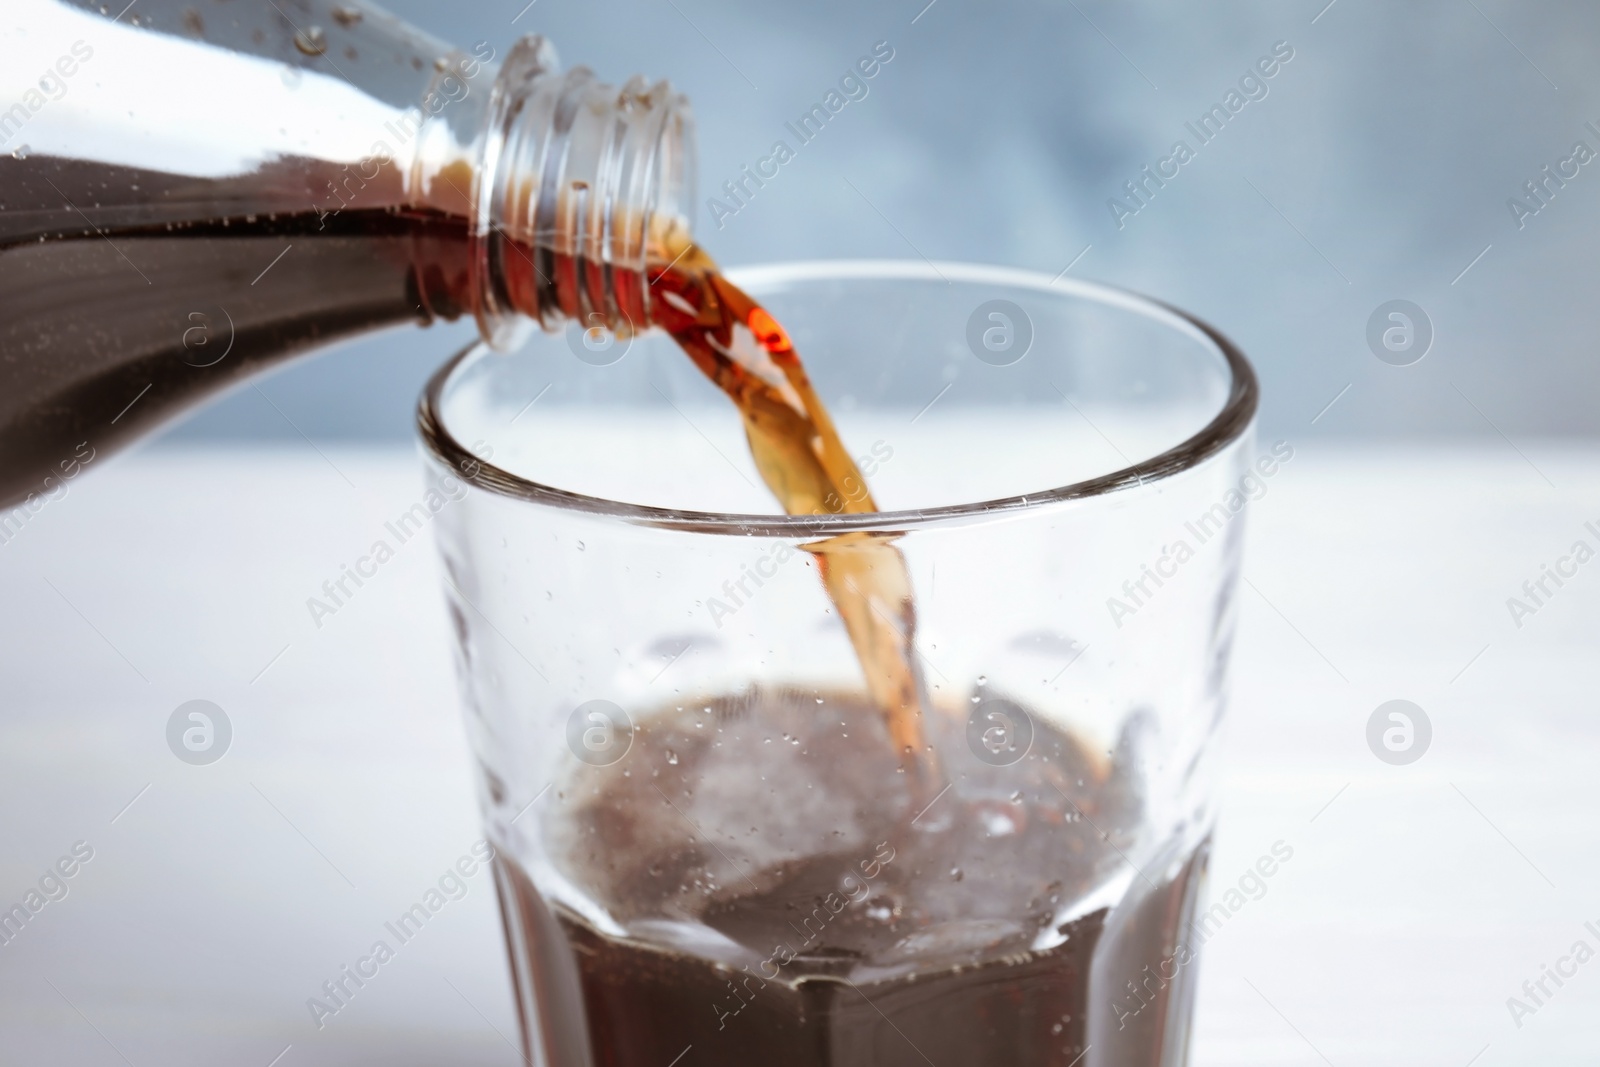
[(193, 193)]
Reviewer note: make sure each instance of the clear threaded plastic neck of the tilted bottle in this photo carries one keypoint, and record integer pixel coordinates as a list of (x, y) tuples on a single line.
[(583, 186)]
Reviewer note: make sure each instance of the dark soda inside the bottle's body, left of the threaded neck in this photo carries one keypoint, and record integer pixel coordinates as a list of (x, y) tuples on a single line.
[(111, 327)]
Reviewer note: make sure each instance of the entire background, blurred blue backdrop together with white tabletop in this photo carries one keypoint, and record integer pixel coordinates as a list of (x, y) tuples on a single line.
[(1375, 166)]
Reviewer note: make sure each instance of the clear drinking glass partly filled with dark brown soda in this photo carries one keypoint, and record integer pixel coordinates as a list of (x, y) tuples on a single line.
[(706, 841)]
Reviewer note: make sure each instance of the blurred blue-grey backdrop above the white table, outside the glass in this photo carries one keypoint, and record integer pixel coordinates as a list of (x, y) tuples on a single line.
[(1377, 167)]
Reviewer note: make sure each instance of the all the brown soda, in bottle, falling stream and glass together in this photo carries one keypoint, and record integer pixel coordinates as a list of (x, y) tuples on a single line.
[(116, 324)]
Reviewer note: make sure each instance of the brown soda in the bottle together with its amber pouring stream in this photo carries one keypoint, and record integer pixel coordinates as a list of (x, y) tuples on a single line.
[(132, 295)]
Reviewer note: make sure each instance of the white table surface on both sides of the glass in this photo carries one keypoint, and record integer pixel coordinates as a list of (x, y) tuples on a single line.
[(1417, 903)]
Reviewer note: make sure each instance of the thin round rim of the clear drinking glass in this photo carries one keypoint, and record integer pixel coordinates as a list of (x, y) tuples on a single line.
[(1226, 426)]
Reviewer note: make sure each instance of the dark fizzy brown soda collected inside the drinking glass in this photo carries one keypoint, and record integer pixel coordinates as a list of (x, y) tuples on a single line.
[(793, 916)]
